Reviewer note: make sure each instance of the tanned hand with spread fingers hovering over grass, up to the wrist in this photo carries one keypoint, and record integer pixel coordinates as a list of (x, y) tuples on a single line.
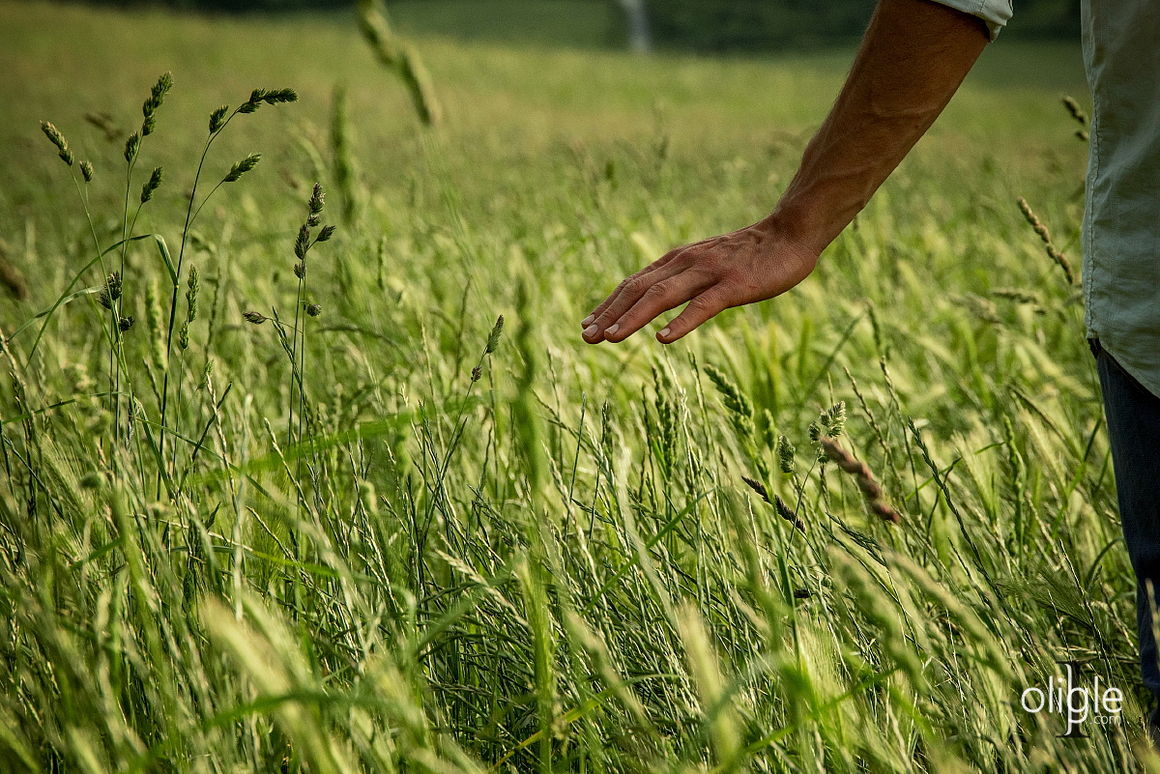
[(743, 267)]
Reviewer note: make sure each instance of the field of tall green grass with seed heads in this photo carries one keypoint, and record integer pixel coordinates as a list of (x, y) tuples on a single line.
[(395, 538)]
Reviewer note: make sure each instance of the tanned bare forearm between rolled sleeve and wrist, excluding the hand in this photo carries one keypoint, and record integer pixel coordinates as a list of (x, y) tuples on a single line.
[(913, 57)]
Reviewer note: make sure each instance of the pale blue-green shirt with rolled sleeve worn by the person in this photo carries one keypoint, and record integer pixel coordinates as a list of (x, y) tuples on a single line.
[(1122, 208)]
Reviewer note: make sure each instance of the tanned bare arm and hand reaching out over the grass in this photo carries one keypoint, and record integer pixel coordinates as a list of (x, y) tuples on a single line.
[(912, 60)]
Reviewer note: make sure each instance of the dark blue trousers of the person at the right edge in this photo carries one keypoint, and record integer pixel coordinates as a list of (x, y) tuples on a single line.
[(1134, 429)]
